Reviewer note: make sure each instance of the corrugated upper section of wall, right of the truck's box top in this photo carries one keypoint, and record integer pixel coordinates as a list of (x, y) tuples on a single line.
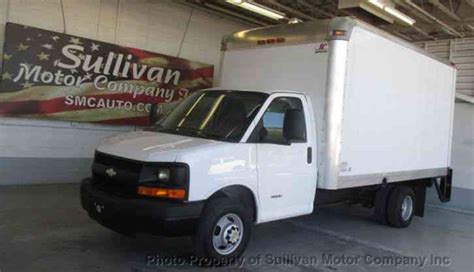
[(461, 53)]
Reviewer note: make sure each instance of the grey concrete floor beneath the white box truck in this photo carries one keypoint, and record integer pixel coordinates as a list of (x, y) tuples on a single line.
[(43, 228)]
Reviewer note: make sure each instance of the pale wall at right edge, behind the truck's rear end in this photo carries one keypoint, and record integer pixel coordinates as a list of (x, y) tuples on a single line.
[(461, 53)]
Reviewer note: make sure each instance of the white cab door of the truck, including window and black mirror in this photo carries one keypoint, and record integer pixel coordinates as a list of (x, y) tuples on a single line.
[(285, 165)]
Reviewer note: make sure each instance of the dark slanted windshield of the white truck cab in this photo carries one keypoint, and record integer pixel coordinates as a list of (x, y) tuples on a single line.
[(220, 115)]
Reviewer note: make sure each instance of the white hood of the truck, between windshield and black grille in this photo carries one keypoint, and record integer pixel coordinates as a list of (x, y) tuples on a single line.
[(151, 146)]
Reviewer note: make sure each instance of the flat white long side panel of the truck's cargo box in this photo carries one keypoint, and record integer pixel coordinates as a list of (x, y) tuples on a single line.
[(397, 113)]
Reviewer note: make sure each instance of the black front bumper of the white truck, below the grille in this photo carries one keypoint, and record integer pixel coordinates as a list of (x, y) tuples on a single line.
[(140, 215)]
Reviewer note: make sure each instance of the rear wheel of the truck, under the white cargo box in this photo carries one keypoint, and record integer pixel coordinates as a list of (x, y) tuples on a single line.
[(401, 206)]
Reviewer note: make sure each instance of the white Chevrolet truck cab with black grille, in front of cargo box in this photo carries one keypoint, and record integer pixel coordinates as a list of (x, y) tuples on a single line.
[(256, 147)]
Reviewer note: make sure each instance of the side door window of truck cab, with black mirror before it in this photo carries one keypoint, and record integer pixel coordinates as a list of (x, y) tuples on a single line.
[(282, 123)]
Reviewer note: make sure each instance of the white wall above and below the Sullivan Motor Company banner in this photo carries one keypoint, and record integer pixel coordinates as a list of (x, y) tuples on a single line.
[(39, 151)]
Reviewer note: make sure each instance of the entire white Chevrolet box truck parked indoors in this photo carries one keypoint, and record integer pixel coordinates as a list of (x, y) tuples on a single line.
[(304, 115)]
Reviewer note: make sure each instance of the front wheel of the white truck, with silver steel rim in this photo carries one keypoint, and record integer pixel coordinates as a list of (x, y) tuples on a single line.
[(224, 229)]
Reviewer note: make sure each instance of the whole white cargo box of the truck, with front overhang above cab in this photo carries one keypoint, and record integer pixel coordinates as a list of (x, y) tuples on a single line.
[(383, 108)]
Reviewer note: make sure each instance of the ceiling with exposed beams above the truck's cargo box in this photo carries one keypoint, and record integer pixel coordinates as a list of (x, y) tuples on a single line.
[(435, 19)]
